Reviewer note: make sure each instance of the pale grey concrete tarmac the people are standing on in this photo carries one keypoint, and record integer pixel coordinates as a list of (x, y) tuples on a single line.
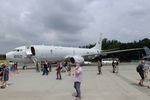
[(31, 85)]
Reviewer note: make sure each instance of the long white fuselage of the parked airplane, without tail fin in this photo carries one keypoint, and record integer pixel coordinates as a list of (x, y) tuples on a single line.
[(27, 54)]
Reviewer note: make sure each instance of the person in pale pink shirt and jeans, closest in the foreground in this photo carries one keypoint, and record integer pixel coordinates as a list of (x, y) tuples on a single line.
[(77, 80)]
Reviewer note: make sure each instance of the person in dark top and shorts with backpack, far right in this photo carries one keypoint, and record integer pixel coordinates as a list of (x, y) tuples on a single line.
[(140, 70)]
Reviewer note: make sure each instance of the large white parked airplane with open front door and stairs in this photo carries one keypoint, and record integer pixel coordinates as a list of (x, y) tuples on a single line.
[(37, 53)]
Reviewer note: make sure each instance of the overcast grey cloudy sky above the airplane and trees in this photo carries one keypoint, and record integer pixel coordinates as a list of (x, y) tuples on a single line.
[(71, 23)]
